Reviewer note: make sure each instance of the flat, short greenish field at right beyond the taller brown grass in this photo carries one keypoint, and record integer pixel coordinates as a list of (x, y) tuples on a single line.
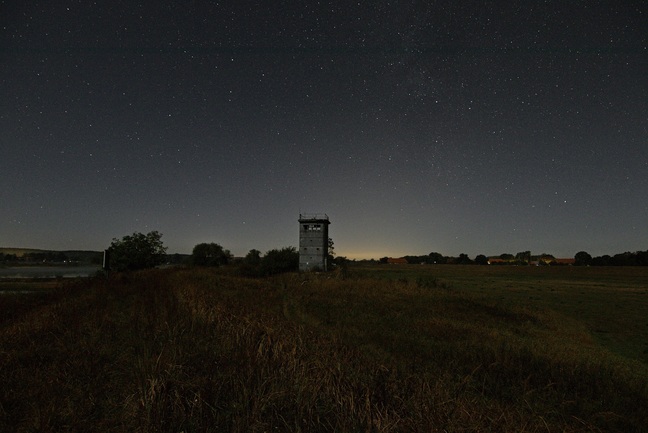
[(611, 302)]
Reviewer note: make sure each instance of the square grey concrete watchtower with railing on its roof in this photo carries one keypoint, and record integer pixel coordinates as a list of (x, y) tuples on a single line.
[(313, 242)]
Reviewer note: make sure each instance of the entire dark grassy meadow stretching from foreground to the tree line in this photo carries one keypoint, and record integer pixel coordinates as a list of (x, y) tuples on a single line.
[(381, 348)]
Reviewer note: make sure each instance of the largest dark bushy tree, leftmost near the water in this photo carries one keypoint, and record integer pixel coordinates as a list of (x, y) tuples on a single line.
[(136, 251)]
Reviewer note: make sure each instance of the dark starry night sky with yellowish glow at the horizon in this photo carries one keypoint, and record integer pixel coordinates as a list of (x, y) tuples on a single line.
[(477, 127)]
